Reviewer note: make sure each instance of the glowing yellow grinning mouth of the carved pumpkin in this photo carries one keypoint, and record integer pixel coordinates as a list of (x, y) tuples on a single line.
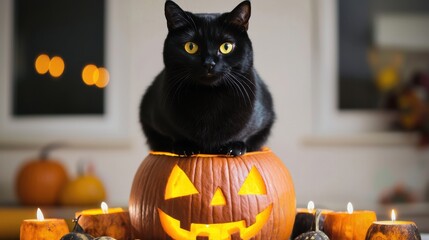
[(215, 231)]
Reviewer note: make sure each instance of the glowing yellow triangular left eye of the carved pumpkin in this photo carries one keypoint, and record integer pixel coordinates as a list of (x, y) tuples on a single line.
[(179, 185)]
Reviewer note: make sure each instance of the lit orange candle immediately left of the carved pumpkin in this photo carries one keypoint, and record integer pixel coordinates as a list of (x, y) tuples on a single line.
[(105, 221)]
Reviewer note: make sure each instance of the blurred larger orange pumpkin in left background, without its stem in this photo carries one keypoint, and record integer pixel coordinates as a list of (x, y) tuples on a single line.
[(39, 182)]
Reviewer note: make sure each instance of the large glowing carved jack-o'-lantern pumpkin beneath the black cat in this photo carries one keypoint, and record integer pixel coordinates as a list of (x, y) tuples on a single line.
[(218, 197)]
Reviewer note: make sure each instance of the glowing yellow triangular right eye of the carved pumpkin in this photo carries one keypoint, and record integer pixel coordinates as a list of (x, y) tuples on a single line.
[(254, 184)]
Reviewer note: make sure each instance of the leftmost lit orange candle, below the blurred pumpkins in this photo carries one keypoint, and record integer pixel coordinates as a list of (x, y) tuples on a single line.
[(41, 228)]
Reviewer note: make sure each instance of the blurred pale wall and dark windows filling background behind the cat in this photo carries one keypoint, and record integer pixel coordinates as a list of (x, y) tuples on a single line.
[(350, 83)]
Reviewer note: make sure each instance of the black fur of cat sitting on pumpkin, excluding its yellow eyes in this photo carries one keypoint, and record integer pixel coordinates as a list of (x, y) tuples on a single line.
[(207, 102)]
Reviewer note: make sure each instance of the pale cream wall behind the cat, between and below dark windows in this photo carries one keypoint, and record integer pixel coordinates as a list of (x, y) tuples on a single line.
[(282, 34)]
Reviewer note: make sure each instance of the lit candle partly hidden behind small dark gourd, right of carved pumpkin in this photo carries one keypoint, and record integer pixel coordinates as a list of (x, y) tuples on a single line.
[(305, 220)]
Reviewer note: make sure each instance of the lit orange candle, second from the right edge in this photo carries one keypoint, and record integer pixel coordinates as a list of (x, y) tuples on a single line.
[(350, 225)]
